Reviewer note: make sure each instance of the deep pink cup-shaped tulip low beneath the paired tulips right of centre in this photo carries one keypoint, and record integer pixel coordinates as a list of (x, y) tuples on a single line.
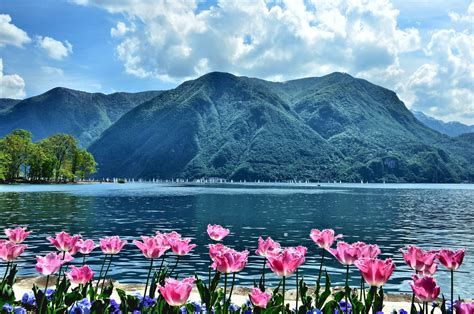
[(376, 272)]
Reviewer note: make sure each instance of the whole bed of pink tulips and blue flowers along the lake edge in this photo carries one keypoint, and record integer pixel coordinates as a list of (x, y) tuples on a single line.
[(81, 290)]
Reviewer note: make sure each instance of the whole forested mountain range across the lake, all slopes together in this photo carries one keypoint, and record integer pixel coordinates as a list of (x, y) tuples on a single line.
[(334, 127)]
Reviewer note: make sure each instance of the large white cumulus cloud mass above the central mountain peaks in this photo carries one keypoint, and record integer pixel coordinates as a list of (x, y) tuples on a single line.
[(173, 40)]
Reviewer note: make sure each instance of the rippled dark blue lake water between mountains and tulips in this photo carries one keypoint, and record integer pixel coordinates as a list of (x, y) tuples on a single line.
[(431, 216)]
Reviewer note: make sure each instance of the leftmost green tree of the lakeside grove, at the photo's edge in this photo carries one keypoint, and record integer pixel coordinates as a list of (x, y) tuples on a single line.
[(16, 146)]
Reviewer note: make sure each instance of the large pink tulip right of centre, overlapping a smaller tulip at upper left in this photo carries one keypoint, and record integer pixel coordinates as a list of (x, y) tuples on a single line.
[(287, 261)]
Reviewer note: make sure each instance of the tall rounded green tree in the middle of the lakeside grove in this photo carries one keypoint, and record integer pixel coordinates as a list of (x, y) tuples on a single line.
[(61, 147)]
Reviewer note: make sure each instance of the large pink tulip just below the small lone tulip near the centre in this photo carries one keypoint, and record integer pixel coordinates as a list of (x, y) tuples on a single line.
[(227, 260)]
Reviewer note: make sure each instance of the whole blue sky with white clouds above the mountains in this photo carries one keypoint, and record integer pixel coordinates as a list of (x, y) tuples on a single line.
[(423, 50)]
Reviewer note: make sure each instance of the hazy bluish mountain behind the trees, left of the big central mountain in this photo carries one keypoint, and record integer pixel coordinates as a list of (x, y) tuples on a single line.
[(61, 110)]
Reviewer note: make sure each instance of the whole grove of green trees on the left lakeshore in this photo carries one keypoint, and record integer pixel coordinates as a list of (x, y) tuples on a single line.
[(56, 158)]
